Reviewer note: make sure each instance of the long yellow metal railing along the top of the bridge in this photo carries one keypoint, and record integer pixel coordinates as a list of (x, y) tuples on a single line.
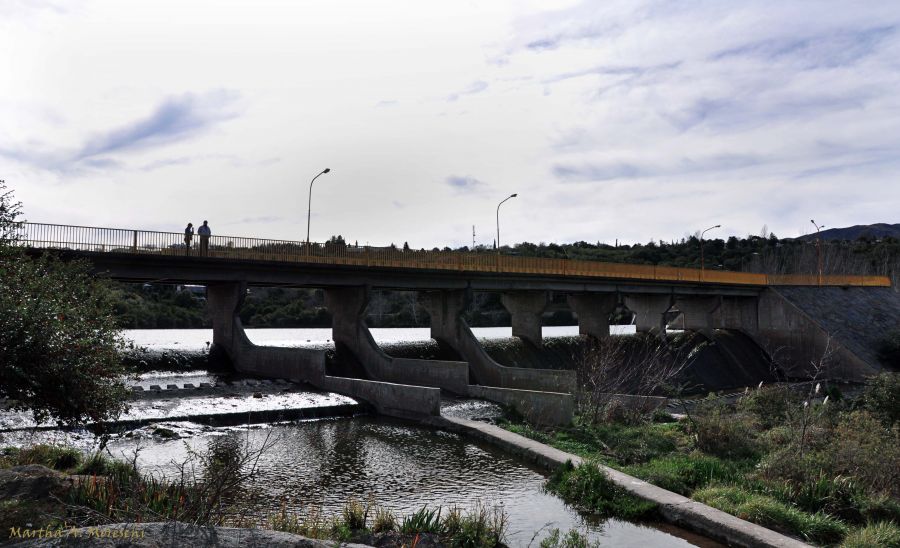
[(143, 242)]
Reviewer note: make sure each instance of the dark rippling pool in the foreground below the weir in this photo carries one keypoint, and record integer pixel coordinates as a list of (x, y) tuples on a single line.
[(322, 464)]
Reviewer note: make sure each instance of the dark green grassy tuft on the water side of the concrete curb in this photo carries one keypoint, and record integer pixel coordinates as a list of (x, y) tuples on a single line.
[(588, 488)]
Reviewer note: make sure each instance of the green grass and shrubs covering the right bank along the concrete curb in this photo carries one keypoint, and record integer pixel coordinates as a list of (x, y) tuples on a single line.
[(824, 470)]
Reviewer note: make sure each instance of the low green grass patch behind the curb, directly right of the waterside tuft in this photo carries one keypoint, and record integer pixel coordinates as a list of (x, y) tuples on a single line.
[(684, 473)]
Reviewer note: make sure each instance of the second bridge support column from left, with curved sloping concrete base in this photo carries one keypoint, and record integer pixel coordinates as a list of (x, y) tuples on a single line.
[(351, 335)]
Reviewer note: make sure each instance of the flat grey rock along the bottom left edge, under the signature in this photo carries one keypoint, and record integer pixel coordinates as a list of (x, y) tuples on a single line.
[(166, 535)]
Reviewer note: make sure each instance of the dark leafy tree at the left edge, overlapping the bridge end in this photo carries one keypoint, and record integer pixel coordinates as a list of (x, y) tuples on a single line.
[(60, 350)]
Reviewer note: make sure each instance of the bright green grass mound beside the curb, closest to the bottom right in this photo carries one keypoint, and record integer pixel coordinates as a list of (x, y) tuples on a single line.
[(768, 512)]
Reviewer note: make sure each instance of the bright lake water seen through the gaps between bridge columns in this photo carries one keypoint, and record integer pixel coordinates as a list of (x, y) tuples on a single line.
[(196, 339)]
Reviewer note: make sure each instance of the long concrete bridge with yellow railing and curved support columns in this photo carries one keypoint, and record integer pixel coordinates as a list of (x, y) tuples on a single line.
[(705, 300)]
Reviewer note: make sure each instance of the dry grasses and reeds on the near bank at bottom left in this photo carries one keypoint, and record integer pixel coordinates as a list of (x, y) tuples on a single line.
[(110, 491)]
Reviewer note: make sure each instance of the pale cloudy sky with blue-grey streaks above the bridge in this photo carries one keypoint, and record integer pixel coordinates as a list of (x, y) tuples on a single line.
[(623, 121)]
